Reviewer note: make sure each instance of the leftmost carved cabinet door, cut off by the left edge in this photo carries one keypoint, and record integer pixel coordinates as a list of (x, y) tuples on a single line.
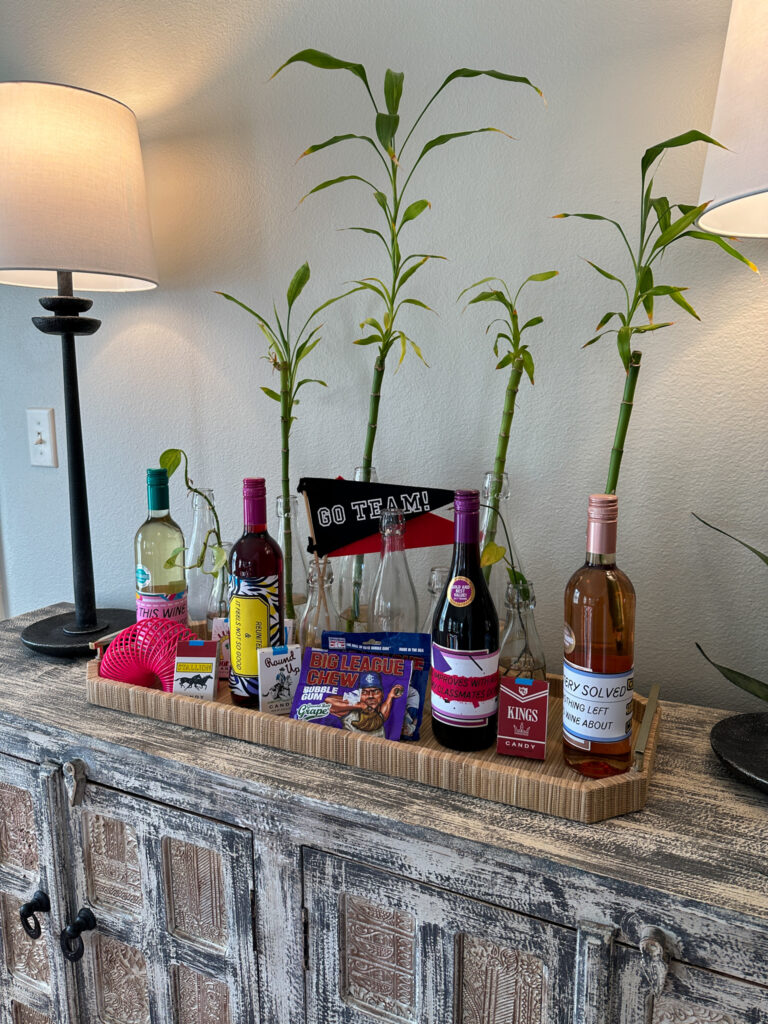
[(35, 982)]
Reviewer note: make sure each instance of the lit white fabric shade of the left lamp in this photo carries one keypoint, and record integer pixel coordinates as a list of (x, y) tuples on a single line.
[(72, 191)]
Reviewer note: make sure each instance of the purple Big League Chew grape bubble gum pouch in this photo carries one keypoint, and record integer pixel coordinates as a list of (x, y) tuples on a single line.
[(362, 694)]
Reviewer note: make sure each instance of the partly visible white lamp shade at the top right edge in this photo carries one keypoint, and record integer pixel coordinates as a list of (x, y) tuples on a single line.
[(737, 181)]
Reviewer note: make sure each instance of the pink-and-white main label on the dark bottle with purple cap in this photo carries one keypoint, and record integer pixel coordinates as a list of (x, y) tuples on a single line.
[(465, 687)]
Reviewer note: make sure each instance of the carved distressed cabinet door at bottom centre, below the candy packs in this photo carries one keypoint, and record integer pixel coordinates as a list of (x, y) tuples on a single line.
[(382, 948)]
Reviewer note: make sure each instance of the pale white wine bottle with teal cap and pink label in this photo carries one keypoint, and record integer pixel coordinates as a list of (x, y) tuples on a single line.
[(161, 592)]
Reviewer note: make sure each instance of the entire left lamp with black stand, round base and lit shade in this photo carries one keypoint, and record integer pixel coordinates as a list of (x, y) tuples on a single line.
[(73, 216)]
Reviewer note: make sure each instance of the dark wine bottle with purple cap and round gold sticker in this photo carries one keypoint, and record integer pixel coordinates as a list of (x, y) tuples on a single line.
[(465, 643)]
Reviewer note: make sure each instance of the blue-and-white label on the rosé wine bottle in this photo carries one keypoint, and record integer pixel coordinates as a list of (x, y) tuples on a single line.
[(596, 708)]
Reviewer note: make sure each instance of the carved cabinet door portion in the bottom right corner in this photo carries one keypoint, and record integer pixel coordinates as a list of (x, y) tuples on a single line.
[(686, 996)]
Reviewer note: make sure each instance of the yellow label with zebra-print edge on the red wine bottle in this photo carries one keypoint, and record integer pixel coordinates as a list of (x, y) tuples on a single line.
[(254, 623)]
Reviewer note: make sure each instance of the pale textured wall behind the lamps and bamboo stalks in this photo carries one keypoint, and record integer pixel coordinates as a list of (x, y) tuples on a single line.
[(181, 367)]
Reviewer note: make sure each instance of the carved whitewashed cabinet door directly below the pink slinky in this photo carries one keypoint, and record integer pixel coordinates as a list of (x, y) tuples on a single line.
[(173, 898)]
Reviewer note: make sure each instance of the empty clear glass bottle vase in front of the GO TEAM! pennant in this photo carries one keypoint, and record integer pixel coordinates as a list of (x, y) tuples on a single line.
[(394, 607)]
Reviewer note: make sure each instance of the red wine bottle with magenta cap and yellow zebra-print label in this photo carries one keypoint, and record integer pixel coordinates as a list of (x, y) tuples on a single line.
[(255, 596)]
